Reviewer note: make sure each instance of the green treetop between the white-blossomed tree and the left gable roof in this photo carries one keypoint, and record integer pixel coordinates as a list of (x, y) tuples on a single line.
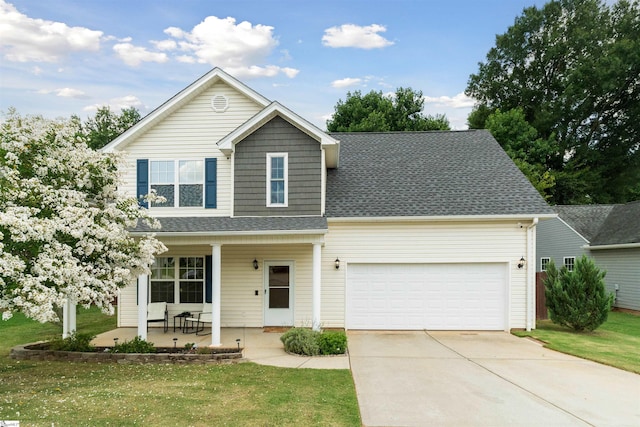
[(107, 125)]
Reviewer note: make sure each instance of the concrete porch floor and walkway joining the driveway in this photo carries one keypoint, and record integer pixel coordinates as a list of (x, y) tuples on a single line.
[(259, 346)]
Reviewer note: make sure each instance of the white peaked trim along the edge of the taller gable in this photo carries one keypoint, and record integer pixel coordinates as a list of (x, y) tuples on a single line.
[(181, 99)]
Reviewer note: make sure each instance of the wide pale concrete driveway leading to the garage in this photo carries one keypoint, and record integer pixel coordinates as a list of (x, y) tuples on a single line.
[(484, 379)]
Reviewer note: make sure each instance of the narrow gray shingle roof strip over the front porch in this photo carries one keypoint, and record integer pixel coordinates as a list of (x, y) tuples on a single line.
[(225, 224)]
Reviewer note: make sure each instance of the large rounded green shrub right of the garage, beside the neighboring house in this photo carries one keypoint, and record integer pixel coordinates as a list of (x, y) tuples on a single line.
[(577, 299)]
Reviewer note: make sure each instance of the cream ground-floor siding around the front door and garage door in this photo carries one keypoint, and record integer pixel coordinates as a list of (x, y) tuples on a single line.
[(410, 242)]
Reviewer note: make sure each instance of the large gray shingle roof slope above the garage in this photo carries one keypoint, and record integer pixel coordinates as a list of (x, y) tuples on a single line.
[(427, 174)]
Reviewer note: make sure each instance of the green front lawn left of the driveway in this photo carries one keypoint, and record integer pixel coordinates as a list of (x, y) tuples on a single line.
[(84, 394)]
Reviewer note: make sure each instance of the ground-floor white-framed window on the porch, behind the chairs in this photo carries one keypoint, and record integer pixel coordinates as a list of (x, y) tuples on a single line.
[(181, 283)]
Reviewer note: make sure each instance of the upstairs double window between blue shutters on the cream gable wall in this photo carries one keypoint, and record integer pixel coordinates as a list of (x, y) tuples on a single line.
[(180, 182)]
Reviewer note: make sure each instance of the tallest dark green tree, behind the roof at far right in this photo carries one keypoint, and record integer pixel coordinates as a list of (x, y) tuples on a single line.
[(573, 66)]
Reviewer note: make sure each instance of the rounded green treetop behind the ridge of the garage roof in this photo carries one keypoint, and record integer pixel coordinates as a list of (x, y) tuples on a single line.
[(376, 112)]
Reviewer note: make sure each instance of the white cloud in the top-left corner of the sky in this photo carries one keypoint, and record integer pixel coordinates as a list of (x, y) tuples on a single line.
[(25, 39)]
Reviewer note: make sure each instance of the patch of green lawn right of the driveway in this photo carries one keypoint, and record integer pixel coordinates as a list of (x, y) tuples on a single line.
[(615, 343)]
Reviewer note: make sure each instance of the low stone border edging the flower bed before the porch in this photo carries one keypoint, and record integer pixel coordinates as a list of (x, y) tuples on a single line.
[(38, 351)]
